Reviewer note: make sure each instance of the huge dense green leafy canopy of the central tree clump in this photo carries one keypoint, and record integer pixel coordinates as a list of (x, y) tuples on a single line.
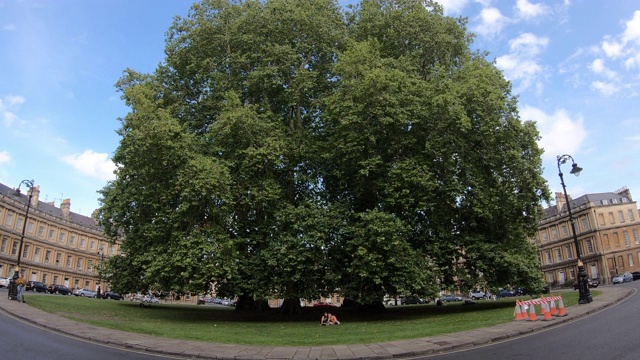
[(295, 149)]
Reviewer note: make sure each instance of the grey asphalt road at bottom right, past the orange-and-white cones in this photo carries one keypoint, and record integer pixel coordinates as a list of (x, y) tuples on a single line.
[(610, 334)]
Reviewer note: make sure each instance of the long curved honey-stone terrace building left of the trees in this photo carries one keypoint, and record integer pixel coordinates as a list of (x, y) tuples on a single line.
[(59, 247)]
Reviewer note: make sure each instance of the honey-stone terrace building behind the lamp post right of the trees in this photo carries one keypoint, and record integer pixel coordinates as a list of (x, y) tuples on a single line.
[(607, 226)]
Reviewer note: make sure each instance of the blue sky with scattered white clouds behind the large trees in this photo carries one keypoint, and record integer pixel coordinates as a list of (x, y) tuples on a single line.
[(575, 65)]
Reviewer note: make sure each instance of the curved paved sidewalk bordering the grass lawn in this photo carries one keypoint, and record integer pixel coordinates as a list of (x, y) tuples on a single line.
[(392, 349)]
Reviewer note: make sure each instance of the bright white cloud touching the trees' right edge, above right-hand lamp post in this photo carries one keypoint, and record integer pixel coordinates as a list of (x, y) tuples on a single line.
[(554, 129)]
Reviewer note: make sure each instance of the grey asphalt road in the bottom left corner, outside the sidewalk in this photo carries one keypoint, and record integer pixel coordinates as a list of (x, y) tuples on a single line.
[(23, 341)]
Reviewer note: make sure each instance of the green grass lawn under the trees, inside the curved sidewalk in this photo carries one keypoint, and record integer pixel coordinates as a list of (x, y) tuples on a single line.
[(224, 325)]
